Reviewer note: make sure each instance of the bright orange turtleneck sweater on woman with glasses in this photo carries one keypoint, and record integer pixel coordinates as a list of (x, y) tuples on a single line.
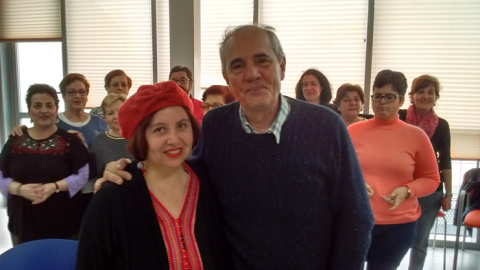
[(393, 154)]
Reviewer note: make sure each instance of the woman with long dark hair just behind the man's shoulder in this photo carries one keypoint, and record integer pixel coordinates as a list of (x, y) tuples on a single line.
[(314, 87)]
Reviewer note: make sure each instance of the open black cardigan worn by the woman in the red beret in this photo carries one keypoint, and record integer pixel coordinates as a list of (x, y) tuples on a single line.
[(120, 230)]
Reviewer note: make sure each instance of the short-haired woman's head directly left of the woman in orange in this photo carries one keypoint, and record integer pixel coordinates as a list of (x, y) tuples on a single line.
[(349, 102)]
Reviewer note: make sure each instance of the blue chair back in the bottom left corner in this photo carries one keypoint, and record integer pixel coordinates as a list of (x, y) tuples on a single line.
[(41, 254)]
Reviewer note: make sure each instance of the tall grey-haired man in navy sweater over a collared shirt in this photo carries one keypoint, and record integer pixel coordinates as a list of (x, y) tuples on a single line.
[(284, 172)]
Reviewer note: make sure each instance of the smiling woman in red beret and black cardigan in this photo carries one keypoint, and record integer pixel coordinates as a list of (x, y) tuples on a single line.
[(163, 218)]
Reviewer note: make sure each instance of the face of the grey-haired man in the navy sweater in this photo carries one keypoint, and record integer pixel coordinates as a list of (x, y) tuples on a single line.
[(252, 69)]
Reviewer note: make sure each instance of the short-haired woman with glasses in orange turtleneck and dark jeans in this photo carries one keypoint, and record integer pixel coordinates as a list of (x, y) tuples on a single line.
[(398, 165)]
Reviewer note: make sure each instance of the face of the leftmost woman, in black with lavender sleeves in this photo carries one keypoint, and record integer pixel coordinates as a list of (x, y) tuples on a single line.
[(43, 110)]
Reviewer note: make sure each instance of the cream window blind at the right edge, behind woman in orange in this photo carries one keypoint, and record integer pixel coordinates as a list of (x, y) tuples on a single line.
[(440, 38)]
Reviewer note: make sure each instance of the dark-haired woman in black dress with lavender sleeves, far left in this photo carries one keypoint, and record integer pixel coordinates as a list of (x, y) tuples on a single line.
[(41, 172)]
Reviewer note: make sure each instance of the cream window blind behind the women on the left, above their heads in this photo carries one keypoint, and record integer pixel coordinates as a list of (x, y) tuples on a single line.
[(107, 35)]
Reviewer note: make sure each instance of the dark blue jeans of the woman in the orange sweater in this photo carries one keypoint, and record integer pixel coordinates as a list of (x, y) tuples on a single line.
[(389, 245)]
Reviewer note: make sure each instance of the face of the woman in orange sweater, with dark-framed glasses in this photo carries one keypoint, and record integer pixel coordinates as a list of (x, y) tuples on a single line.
[(386, 110)]
